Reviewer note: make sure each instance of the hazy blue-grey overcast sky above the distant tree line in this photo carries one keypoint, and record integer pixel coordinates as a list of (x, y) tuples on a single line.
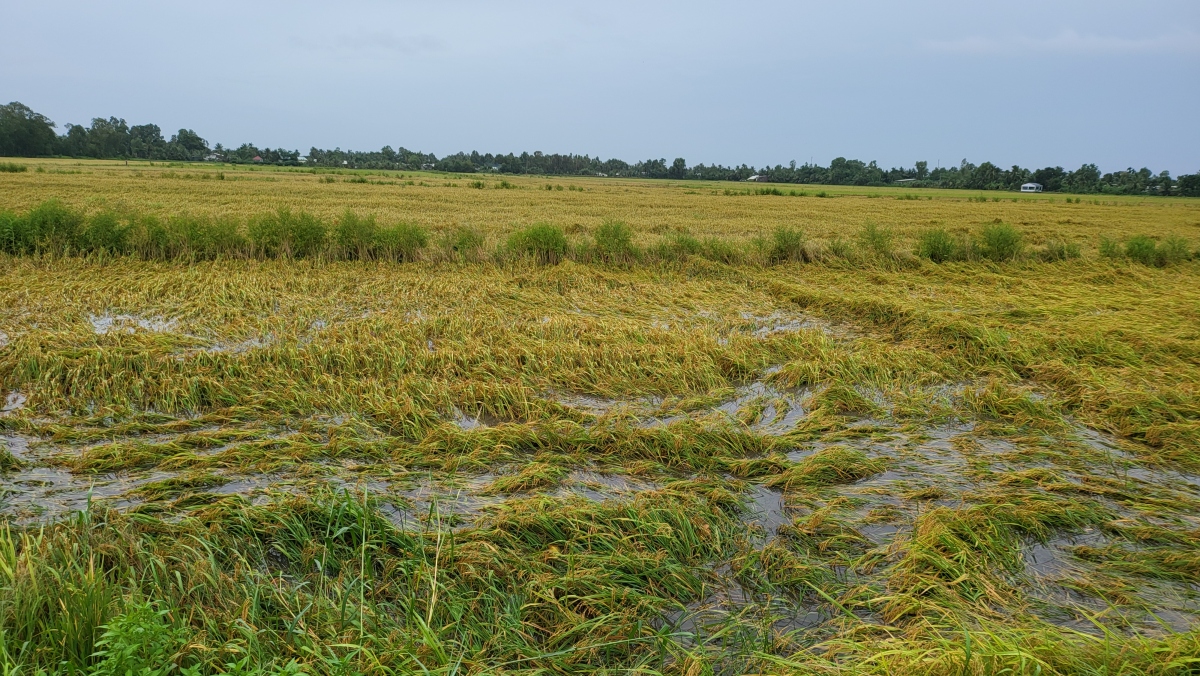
[(1027, 83)]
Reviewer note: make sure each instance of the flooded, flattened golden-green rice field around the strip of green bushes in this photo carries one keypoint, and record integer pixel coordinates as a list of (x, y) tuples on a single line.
[(855, 460)]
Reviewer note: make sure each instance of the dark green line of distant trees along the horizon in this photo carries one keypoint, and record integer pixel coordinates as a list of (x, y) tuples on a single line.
[(27, 134)]
